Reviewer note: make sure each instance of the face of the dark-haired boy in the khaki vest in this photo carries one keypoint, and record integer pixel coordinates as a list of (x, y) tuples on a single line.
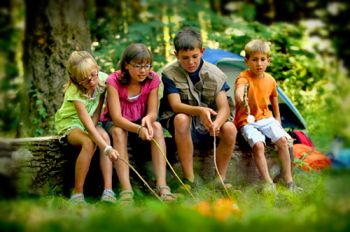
[(190, 59)]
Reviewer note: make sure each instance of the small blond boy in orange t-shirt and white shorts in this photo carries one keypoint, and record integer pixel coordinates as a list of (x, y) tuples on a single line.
[(260, 89)]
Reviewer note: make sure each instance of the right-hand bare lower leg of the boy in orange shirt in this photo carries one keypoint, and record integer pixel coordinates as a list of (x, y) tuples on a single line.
[(283, 153)]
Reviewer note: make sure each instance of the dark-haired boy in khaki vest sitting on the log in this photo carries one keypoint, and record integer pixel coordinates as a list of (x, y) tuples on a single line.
[(194, 93)]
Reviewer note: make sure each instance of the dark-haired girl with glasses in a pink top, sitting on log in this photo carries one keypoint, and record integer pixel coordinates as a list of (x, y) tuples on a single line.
[(130, 117)]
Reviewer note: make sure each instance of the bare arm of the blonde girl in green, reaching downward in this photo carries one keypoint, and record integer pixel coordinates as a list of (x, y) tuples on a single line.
[(91, 128)]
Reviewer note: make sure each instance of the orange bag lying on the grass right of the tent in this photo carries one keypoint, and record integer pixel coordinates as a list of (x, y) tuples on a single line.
[(308, 158)]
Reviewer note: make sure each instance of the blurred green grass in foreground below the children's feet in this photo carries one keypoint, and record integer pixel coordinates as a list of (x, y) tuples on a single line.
[(323, 206)]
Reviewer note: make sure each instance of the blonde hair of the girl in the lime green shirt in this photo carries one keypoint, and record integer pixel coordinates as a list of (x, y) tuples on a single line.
[(80, 64)]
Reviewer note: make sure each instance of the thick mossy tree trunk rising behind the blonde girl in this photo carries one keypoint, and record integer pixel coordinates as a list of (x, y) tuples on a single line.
[(54, 28)]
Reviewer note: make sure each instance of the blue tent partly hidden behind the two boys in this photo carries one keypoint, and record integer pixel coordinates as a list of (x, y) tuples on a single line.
[(232, 64)]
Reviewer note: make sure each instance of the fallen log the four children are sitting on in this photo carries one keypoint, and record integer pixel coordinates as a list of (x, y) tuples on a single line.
[(45, 165)]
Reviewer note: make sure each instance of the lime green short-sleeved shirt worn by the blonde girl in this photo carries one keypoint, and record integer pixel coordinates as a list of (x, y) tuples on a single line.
[(66, 118)]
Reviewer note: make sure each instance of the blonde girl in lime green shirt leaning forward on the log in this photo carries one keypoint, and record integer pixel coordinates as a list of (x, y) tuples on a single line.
[(77, 119)]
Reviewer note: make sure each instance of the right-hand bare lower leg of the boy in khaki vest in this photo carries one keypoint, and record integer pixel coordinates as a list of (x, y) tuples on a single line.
[(225, 148)]
